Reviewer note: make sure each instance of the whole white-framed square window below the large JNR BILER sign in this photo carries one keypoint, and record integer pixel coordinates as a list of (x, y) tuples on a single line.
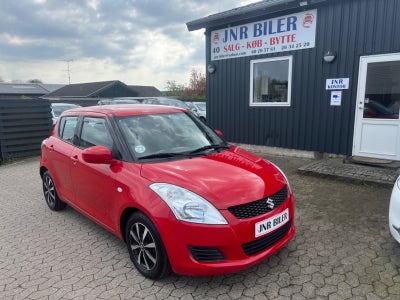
[(271, 81)]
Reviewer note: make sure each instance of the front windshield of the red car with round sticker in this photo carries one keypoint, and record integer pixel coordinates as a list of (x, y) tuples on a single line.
[(168, 135)]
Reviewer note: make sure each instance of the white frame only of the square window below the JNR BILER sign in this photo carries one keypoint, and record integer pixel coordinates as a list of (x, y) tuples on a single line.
[(288, 58)]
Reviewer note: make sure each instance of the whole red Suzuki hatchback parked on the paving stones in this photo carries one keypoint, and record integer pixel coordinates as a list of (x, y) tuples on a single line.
[(179, 196)]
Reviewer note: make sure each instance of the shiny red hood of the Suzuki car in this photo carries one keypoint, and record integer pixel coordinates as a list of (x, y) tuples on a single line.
[(231, 177)]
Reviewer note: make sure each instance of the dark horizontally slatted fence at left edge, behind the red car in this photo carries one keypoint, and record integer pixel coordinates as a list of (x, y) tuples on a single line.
[(23, 126)]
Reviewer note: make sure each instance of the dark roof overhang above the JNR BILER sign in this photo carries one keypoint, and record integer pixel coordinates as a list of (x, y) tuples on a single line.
[(248, 12)]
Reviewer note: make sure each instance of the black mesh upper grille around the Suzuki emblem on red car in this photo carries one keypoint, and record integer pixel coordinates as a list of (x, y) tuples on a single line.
[(259, 207)]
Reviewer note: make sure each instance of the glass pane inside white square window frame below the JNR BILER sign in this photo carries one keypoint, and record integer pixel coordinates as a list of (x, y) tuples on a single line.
[(270, 81)]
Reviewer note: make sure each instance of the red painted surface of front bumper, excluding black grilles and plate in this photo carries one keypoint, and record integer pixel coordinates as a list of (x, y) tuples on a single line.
[(228, 238)]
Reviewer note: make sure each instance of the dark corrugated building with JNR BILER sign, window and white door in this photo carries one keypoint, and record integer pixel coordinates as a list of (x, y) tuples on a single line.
[(312, 75)]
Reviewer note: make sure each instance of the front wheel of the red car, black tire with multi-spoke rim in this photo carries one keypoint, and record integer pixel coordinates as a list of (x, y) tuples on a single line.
[(146, 248)]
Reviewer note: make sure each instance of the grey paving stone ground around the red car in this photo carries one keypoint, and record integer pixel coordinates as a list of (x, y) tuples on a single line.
[(342, 248)]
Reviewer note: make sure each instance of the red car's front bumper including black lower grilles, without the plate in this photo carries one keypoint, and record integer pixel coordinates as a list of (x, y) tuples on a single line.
[(204, 250)]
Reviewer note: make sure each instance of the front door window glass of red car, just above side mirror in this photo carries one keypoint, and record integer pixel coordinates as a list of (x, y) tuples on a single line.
[(95, 133)]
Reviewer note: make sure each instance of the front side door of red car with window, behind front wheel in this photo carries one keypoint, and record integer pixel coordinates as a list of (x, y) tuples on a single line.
[(94, 184)]
